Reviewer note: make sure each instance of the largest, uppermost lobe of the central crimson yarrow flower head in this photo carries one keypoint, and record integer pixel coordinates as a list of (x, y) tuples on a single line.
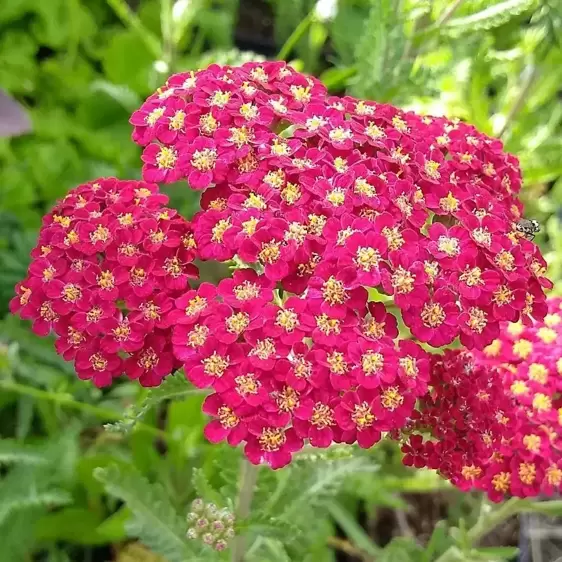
[(424, 208)]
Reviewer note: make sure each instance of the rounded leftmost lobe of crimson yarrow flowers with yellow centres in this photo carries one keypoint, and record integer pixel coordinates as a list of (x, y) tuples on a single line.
[(110, 259)]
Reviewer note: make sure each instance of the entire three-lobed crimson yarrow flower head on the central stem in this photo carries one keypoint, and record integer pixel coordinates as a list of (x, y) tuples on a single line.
[(321, 203)]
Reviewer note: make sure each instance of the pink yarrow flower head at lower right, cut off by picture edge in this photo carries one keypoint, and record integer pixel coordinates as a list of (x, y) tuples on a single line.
[(493, 419)]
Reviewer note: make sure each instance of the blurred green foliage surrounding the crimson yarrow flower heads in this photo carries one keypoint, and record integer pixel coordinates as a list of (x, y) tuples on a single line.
[(79, 68)]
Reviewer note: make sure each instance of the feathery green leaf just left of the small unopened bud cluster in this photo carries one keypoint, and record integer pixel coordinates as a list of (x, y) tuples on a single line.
[(155, 522)]
